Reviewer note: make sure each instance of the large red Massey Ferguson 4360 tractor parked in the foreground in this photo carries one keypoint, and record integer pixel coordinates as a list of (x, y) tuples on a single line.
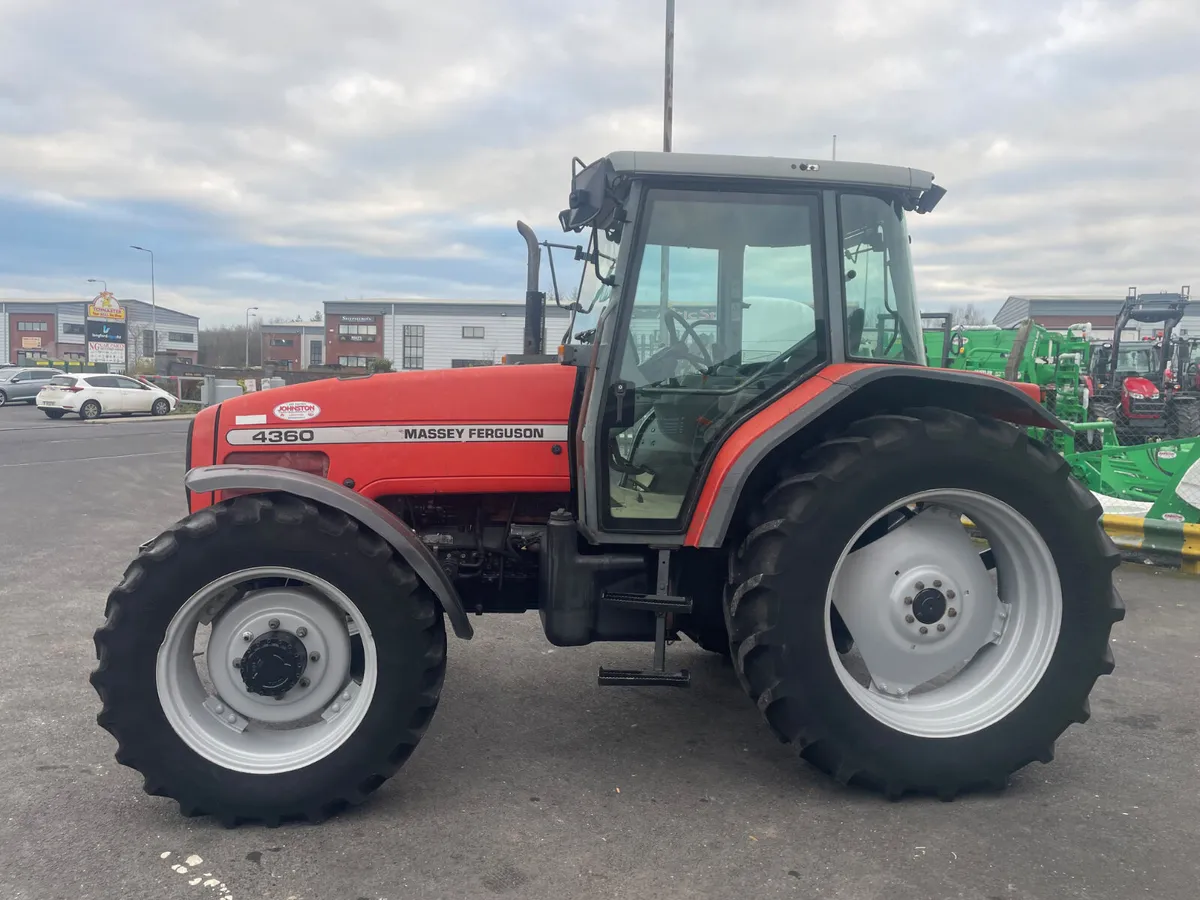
[(914, 593)]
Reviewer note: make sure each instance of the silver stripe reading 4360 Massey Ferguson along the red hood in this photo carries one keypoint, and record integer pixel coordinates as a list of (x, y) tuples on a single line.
[(399, 435)]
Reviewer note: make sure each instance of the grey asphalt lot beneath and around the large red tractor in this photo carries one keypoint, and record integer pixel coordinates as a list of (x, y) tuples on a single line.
[(533, 782)]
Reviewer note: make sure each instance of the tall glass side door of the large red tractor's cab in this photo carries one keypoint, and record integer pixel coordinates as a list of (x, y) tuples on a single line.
[(721, 304)]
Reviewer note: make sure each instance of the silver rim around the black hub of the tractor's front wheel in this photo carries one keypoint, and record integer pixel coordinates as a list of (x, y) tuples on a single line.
[(238, 730)]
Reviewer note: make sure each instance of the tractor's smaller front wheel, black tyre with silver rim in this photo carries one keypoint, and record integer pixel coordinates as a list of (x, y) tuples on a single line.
[(278, 578)]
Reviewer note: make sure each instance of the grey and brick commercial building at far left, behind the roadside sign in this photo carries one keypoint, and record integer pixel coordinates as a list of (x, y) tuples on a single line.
[(56, 331)]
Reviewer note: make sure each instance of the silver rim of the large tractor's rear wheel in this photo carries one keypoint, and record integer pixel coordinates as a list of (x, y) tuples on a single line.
[(994, 640)]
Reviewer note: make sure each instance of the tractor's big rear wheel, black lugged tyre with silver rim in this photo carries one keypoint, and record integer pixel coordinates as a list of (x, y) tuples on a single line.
[(869, 524)]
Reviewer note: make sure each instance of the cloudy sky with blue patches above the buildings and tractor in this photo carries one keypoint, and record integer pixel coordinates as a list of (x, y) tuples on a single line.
[(285, 153)]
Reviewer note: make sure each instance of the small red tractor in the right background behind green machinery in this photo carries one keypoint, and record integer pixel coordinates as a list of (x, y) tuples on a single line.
[(1129, 382)]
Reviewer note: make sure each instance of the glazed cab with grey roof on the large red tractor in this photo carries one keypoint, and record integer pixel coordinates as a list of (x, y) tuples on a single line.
[(713, 285)]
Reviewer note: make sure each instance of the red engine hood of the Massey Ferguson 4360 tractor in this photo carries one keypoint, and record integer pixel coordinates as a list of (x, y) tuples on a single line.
[(481, 430)]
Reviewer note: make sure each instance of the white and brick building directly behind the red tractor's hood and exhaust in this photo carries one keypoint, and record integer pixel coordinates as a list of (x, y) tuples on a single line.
[(429, 334)]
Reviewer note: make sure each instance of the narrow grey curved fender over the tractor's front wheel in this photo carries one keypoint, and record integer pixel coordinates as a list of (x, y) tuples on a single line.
[(364, 511)]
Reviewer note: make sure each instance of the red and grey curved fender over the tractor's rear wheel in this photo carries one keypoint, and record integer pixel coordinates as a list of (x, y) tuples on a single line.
[(841, 395)]
